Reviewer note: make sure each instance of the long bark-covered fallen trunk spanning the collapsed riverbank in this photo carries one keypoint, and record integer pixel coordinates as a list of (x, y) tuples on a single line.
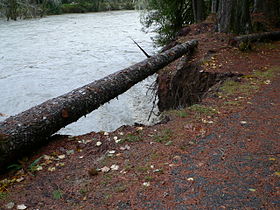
[(35, 126)]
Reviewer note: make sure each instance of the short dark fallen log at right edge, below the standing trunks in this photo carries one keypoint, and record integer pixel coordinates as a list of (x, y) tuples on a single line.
[(273, 36)]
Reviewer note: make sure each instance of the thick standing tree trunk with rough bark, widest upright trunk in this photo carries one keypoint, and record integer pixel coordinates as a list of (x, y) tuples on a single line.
[(234, 16)]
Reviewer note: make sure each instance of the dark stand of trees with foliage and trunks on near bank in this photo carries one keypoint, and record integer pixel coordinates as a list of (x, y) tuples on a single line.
[(233, 16)]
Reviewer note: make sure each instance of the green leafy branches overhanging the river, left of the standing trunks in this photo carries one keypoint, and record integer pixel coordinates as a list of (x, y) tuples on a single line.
[(166, 18)]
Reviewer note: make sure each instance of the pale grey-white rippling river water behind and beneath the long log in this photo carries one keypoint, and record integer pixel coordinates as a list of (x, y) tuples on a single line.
[(44, 58)]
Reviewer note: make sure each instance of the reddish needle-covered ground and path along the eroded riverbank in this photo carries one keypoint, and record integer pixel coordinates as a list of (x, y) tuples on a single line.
[(223, 153)]
